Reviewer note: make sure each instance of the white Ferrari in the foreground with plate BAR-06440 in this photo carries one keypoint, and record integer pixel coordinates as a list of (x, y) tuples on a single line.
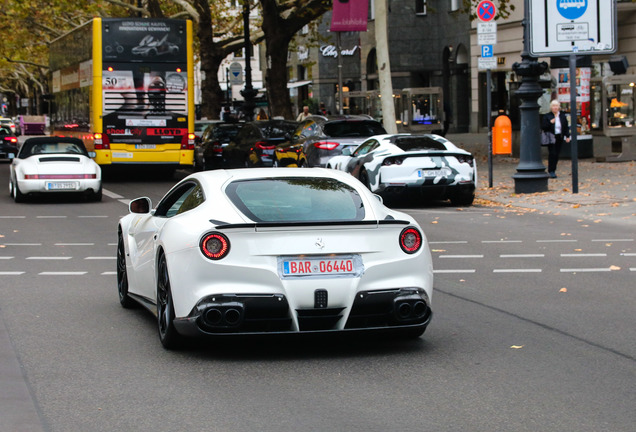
[(273, 250)]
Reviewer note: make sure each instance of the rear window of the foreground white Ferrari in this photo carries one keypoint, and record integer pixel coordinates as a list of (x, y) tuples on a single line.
[(296, 200)]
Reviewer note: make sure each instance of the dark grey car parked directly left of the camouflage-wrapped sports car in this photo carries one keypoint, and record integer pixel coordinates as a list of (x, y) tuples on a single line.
[(323, 137)]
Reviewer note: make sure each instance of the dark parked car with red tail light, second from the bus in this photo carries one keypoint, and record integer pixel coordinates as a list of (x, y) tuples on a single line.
[(255, 143)]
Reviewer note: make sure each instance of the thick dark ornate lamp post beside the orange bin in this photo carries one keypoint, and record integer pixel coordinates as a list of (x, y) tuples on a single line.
[(531, 175)]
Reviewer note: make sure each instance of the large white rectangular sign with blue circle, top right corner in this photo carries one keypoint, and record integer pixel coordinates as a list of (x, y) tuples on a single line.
[(559, 27)]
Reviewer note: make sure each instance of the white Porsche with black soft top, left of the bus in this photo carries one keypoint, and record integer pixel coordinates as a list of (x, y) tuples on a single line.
[(54, 165)]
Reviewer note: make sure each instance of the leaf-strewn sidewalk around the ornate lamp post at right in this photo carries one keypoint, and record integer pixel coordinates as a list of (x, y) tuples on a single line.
[(607, 190)]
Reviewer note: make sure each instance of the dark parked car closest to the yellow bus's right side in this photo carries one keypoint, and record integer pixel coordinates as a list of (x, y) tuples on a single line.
[(208, 153)]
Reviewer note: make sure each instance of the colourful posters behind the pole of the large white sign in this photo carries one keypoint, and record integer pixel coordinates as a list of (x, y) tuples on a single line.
[(562, 78)]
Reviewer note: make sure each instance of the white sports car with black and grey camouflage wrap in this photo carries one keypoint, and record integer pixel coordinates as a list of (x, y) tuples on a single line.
[(396, 164)]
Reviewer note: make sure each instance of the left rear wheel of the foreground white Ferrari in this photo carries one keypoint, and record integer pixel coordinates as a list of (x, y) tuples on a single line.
[(168, 335)]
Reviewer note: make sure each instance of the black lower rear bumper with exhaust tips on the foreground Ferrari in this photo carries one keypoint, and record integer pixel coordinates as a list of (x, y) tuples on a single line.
[(248, 314)]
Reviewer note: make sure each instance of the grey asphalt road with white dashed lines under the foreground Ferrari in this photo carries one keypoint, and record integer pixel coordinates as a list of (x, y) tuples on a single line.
[(534, 329)]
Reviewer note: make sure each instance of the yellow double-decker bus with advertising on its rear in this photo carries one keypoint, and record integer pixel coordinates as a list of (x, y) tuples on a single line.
[(125, 86)]
